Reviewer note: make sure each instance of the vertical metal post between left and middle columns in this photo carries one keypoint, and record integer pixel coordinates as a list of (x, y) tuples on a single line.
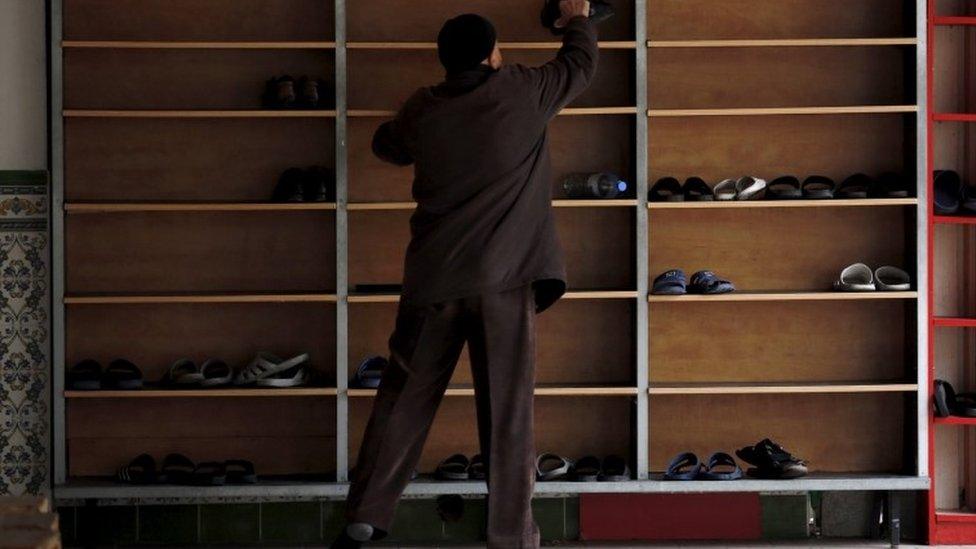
[(342, 249)]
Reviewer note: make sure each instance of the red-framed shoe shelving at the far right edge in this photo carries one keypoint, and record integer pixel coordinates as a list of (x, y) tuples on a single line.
[(952, 242)]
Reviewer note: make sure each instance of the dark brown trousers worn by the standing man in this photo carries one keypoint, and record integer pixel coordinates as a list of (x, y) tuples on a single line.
[(424, 349)]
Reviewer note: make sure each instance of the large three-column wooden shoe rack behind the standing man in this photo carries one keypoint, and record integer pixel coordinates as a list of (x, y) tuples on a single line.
[(165, 246)]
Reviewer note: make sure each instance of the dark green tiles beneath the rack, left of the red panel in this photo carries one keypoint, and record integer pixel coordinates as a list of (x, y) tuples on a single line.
[(417, 521)]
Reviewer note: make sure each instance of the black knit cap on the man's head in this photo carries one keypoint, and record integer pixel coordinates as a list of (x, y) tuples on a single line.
[(465, 41)]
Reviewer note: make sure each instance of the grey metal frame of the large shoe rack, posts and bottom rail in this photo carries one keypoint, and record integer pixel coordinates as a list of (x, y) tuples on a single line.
[(645, 481)]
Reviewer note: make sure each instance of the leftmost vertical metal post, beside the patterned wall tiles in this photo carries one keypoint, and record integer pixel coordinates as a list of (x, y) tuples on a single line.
[(56, 205)]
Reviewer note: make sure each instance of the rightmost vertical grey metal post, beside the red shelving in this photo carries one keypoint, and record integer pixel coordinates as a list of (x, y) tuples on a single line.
[(922, 239)]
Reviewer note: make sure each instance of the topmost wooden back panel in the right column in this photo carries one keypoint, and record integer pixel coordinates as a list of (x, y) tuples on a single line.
[(757, 19)]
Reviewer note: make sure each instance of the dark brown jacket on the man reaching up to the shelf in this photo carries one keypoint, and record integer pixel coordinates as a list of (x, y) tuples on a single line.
[(480, 150)]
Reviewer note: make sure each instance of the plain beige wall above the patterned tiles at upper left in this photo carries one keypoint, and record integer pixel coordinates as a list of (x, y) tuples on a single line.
[(23, 85)]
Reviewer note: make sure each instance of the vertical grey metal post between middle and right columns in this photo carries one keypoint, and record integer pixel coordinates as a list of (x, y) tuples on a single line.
[(641, 123)]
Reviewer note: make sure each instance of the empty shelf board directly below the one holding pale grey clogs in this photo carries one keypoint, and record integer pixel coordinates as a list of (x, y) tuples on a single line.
[(779, 388)]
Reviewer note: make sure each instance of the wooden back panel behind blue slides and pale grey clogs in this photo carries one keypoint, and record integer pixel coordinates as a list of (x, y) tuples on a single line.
[(744, 245)]
